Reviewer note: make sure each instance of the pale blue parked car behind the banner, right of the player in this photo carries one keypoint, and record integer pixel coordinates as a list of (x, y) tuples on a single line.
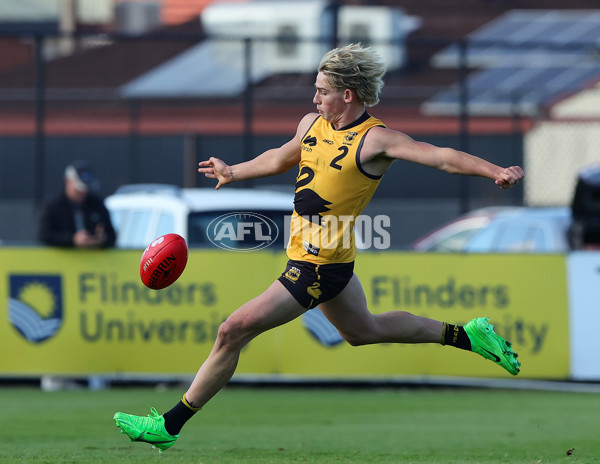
[(502, 230)]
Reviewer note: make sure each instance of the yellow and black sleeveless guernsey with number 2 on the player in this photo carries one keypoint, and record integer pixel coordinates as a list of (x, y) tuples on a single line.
[(332, 189)]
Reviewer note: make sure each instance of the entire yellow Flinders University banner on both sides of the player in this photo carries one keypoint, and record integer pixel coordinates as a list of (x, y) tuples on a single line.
[(77, 312)]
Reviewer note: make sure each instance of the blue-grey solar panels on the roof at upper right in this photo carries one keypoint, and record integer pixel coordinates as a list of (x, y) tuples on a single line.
[(526, 60)]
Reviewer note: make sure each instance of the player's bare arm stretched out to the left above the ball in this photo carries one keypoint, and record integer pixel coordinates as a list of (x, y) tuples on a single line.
[(269, 163)]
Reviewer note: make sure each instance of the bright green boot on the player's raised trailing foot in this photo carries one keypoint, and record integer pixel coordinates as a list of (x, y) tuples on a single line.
[(487, 343)]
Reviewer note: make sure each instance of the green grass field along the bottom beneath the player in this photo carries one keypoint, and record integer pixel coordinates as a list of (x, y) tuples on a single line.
[(244, 425)]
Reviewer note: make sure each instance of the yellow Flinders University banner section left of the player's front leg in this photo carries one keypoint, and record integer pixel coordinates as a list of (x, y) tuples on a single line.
[(78, 312)]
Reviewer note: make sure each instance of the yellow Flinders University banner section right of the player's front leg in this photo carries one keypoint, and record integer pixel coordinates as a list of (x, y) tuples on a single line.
[(524, 296)]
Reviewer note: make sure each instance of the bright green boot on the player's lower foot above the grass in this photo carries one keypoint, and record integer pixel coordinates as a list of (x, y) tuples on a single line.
[(150, 429)]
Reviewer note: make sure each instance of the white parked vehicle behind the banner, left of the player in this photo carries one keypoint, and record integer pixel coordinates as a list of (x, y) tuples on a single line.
[(142, 212)]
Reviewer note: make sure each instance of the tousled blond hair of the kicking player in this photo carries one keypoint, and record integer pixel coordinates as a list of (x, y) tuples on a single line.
[(357, 68)]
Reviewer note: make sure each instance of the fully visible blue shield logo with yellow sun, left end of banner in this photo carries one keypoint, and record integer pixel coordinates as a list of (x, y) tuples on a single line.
[(35, 305)]
